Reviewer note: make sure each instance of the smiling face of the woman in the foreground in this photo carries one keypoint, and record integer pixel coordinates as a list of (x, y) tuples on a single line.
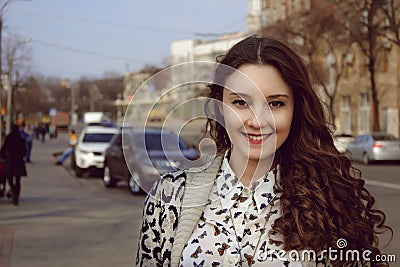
[(257, 111)]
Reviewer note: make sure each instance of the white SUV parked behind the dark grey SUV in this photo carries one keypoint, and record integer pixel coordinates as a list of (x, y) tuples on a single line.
[(91, 147)]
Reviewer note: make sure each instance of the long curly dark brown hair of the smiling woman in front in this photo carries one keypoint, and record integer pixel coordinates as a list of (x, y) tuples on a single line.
[(323, 197)]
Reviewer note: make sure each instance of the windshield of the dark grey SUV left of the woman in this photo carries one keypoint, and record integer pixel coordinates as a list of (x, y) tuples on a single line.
[(153, 141)]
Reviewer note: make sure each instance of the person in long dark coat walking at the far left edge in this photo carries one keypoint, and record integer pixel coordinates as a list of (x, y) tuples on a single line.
[(14, 150)]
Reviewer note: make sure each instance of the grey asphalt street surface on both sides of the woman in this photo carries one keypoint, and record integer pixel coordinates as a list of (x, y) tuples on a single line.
[(63, 221)]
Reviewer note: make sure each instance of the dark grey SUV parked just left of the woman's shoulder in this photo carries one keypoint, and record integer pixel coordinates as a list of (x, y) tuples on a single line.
[(141, 157)]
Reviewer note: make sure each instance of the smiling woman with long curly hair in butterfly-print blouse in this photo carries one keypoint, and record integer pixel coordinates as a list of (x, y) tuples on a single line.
[(276, 185)]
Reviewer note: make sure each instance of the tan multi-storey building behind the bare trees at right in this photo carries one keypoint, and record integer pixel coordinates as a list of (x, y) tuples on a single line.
[(353, 102)]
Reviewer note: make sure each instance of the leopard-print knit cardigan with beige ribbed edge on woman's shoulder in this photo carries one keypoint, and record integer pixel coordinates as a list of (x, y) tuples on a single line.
[(171, 212)]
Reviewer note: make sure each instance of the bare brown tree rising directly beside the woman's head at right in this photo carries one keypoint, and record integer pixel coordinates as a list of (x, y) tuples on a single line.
[(317, 35)]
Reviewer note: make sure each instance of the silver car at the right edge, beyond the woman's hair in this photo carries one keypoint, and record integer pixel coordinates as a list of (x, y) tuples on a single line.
[(373, 147)]
